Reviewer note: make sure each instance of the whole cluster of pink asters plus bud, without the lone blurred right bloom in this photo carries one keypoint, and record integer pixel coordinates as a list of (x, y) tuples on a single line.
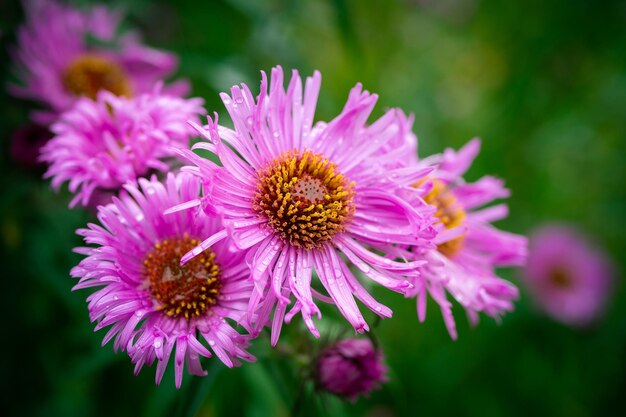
[(289, 212)]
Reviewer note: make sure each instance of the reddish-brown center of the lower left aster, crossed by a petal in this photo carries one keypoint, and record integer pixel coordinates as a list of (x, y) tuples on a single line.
[(188, 290)]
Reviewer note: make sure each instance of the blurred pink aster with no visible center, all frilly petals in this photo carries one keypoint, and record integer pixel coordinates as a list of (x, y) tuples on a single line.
[(100, 145)]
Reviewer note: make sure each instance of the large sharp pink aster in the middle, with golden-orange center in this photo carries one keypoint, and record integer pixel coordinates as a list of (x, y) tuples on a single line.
[(302, 198)]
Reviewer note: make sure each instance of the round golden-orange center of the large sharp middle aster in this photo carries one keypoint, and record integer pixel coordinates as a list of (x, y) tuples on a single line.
[(306, 201)]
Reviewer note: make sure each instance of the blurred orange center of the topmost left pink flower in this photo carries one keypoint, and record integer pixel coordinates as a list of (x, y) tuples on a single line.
[(88, 74)]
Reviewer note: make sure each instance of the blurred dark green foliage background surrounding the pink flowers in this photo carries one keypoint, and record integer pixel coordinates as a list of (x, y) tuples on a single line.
[(543, 84)]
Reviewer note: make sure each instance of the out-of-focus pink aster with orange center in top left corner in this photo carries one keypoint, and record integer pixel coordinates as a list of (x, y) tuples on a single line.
[(64, 53)]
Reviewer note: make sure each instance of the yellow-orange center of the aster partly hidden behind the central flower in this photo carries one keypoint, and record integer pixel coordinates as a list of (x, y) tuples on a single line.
[(449, 213)]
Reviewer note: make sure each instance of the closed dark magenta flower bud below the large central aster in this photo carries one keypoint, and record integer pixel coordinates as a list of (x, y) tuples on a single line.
[(350, 368)]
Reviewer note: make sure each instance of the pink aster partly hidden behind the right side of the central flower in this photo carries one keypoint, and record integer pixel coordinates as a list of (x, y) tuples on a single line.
[(469, 247)]
